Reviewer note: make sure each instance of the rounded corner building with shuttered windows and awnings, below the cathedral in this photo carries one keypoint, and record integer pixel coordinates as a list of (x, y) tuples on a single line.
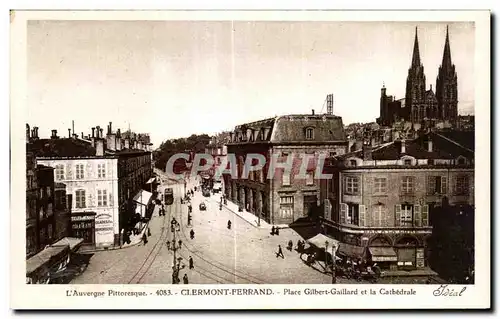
[(380, 201)]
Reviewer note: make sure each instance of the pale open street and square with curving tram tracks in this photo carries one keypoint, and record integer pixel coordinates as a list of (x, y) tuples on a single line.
[(242, 254)]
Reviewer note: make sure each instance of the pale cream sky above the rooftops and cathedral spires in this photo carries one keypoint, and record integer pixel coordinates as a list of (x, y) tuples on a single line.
[(176, 78)]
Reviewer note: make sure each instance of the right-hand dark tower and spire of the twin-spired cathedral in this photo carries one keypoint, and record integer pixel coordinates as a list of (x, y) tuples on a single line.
[(446, 85)]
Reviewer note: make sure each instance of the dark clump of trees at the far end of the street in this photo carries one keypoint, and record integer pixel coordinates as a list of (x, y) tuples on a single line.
[(194, 143)]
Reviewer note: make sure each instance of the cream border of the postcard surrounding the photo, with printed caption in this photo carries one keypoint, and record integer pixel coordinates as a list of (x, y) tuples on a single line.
[(54, 296)]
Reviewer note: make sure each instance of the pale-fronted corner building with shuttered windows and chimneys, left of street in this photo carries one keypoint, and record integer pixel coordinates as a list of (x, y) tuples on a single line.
[(103, 176)]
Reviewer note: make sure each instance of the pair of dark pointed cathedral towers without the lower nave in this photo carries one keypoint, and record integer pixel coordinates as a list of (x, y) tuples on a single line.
[(424, 104)]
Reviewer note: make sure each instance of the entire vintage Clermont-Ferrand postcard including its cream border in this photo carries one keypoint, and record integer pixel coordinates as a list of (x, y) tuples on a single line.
[(250, 160)]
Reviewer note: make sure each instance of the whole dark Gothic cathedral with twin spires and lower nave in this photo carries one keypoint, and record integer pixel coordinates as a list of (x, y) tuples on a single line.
[(423, 107)]
